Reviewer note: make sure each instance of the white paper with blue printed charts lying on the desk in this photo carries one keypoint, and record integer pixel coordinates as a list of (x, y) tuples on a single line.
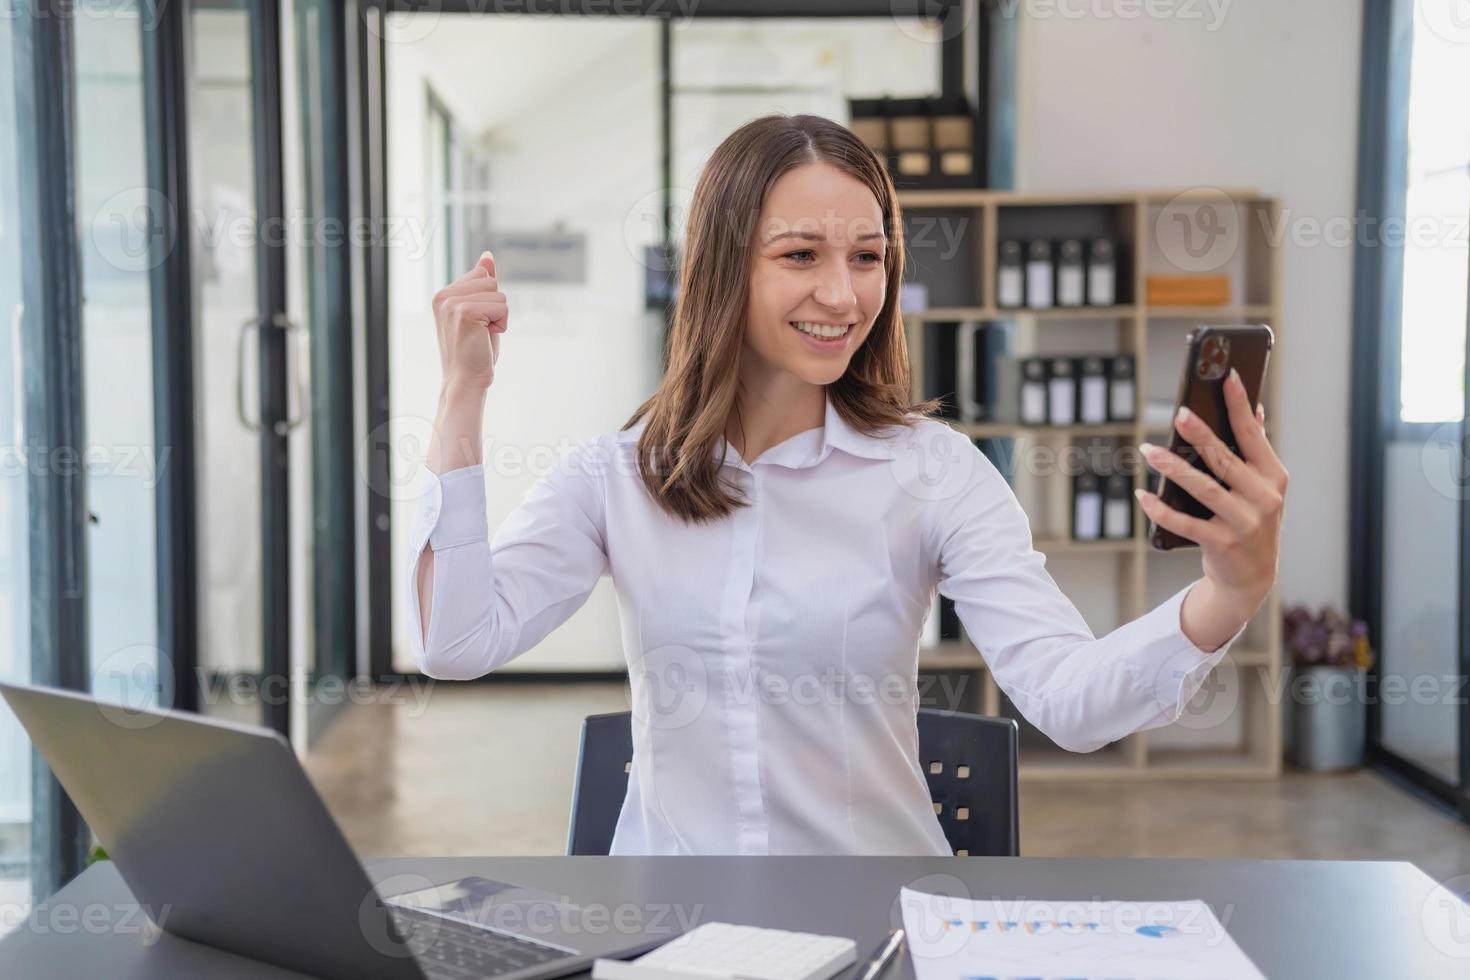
[(956, 938)]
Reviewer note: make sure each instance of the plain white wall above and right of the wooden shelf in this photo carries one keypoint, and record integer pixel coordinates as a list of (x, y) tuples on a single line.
[(1262, 96)]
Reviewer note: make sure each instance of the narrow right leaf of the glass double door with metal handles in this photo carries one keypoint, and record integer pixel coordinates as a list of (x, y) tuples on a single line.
[(323, 486)]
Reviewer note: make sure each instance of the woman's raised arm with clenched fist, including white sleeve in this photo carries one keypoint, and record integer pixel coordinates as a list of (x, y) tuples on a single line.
[(477, 606)]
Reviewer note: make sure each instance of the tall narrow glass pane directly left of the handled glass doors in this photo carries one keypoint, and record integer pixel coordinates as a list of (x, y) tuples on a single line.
[(114, 243)]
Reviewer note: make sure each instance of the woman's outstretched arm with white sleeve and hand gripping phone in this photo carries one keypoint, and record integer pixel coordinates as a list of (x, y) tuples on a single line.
[(1086, 691)]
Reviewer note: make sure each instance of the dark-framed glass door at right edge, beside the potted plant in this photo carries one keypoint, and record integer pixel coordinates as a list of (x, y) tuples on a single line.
[(1416, 515)]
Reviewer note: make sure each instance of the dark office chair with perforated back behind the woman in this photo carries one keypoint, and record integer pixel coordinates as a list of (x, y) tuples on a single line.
[(969, 762)]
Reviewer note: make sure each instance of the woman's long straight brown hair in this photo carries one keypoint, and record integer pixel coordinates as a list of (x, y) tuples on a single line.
[(689, 414)]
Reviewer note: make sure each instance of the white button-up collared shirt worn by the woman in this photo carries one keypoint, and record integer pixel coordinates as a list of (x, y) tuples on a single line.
[(774, 655)]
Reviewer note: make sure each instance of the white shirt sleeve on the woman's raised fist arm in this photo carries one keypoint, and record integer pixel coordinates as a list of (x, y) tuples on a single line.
[(495, 600)]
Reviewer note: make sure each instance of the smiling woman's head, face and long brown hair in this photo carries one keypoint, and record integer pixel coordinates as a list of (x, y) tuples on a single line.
[(809, 214)]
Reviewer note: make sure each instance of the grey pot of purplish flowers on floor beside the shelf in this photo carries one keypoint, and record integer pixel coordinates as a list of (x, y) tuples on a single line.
[(1330, 652)]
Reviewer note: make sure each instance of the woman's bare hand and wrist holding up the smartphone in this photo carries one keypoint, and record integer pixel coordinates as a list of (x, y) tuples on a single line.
[(1241, 544)]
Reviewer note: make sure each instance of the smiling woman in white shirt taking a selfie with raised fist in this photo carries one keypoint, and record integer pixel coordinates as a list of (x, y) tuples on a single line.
[(777, 519)]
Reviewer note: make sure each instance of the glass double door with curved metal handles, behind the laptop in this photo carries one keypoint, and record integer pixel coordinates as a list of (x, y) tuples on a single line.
[(274, 364)]
